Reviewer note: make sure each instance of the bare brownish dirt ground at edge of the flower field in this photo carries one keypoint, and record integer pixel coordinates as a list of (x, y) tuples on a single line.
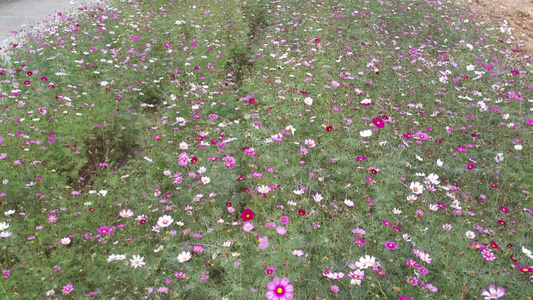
[(517, 13)]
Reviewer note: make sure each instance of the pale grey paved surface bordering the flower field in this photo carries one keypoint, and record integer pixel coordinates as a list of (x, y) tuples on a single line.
[(22, 15)]
